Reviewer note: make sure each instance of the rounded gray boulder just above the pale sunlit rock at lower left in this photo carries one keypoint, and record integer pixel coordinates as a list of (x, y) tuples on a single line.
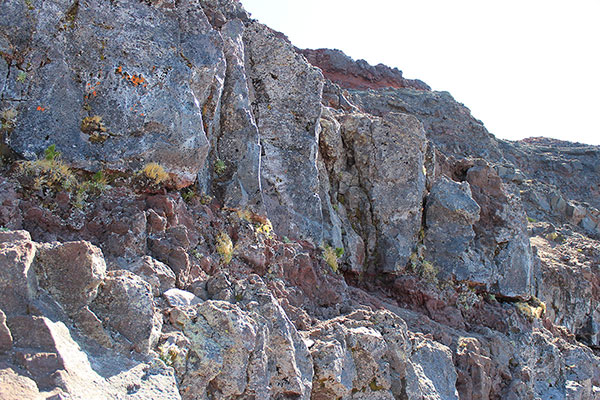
[(124, 297)]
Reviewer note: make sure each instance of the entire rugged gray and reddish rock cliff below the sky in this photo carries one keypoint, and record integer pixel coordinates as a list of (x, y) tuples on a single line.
[(193, 208)]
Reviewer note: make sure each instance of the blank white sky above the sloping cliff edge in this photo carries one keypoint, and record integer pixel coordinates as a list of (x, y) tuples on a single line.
[(524, 67)]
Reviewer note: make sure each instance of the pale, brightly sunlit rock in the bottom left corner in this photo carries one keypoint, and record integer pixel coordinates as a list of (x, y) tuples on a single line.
[(58, 362)]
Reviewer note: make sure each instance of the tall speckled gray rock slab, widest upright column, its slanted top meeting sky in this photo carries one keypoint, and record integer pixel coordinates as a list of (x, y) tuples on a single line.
[(286, 98)]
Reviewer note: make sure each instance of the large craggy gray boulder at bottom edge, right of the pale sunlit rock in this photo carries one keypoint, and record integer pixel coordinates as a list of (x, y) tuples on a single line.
[(246, 349)]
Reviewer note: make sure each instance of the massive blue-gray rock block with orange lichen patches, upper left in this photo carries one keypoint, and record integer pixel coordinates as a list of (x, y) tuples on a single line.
[(149, 86)]
